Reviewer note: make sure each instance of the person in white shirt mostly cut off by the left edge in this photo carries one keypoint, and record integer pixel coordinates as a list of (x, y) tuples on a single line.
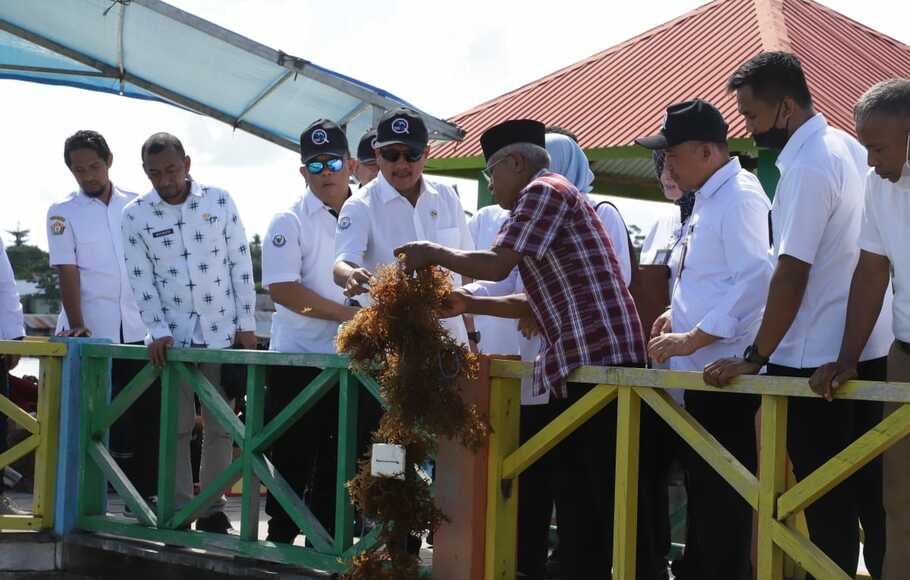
[(12, 327)]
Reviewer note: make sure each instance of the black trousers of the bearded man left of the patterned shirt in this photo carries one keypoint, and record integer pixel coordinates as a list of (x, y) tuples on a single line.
[(134, 436)]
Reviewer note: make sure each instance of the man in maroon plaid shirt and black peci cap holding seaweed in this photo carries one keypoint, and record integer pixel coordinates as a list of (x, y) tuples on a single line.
[(575, 294)]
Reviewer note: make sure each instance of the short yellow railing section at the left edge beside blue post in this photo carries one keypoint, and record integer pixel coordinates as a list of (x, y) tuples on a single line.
[(43, 430)]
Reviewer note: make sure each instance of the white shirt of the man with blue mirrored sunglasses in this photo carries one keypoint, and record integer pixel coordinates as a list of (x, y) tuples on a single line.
[(300, 247)]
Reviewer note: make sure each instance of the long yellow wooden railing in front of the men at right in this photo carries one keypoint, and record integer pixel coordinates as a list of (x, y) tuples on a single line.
[(778, 535)]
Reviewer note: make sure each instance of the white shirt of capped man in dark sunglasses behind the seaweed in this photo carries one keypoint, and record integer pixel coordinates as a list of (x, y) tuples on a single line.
[(378, 219)]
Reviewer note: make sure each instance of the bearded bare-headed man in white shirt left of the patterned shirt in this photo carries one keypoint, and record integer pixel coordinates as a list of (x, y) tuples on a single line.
[(86, 247)]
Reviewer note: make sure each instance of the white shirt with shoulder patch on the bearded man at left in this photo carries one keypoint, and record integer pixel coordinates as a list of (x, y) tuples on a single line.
[(85, 232)]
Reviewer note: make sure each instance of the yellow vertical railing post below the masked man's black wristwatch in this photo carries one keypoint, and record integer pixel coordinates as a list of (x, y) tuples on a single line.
[(772, 482)]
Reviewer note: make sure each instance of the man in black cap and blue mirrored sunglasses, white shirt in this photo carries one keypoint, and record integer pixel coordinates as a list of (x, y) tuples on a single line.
[(297, 257)]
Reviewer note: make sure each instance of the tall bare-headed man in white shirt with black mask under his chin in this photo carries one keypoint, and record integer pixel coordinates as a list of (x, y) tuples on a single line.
[(815, 217)]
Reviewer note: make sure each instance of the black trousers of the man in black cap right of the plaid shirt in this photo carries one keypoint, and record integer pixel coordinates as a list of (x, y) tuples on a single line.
[(719, 546)]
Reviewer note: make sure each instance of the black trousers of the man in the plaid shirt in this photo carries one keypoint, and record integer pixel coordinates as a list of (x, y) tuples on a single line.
[(584, 467)]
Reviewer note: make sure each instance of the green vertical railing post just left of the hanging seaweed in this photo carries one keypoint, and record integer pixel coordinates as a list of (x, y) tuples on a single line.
[(348, 401)]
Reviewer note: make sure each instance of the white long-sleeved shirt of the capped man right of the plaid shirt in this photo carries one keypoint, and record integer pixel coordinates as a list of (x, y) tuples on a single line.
[(724, 273)]
